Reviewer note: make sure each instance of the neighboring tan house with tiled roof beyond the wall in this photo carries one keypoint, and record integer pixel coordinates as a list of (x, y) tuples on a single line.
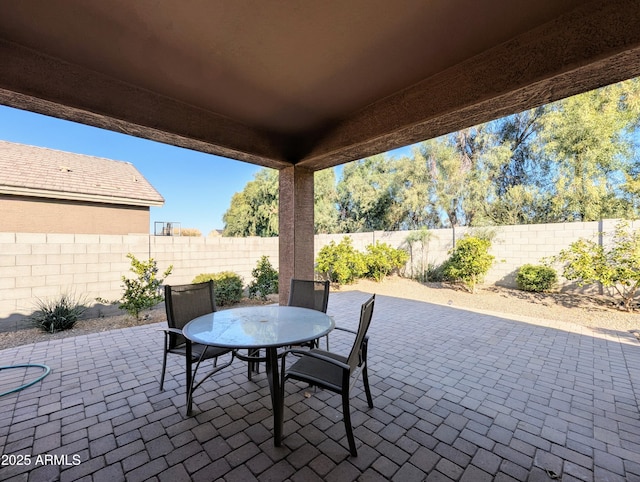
[(48, 191)]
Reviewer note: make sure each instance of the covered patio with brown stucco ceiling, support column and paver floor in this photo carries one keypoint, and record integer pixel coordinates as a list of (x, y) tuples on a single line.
[(458, 395)]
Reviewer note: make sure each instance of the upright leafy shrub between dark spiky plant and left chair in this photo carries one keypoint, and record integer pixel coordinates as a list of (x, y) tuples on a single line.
[(145, 290)]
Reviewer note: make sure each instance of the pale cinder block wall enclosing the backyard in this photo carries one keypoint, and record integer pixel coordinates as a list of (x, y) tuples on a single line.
[(41, 266)]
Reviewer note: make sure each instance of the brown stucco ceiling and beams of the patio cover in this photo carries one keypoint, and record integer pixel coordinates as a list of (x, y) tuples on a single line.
[(312, 82)]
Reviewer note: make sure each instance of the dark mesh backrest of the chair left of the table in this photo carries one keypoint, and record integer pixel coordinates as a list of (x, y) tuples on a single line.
[(183, 303)]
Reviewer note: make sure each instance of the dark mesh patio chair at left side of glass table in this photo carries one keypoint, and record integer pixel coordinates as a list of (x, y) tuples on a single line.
[(184, 303)]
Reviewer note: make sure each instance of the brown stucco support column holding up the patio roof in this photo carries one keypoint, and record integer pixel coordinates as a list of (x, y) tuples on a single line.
[(296, 229)]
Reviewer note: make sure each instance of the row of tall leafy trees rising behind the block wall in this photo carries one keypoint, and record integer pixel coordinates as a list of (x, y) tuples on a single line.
[(575, 159)]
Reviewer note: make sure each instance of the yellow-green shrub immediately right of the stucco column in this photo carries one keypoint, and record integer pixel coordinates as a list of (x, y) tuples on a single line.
[(341, 263)]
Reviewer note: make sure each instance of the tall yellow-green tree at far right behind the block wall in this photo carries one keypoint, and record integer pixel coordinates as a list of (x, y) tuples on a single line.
[(589, 138)]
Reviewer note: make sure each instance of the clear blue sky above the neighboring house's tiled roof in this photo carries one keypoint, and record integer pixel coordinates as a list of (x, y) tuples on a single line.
[(197, 187)]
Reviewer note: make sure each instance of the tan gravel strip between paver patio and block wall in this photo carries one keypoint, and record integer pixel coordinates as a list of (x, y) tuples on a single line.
[(591, 311)]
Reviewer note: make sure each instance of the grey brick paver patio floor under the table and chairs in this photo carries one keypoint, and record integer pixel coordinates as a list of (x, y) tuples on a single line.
[(458, 395)]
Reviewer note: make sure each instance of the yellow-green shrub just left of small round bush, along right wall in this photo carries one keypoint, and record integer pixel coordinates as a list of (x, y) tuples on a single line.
[(469, 261)]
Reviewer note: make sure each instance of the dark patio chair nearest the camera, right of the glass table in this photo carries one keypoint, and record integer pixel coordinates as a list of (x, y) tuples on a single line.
[(333, 371)]
